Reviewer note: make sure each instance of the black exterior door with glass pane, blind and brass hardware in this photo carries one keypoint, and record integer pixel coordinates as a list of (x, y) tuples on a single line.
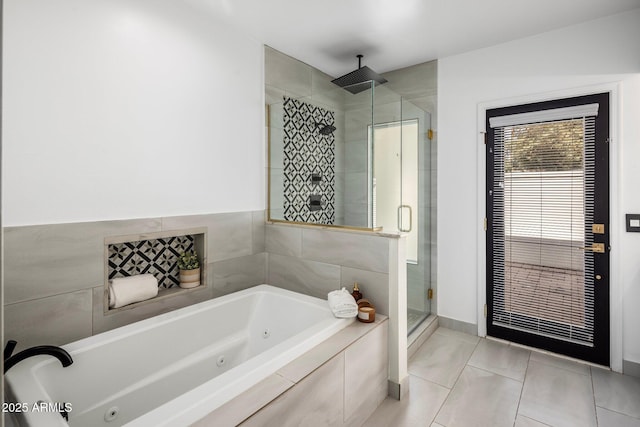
[(548, 225)]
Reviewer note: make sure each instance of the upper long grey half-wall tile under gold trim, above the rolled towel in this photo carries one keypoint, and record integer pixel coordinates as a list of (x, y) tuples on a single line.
[(346, 249)]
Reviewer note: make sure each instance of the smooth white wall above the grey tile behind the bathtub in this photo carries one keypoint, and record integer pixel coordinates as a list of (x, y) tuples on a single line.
[(127, 109)]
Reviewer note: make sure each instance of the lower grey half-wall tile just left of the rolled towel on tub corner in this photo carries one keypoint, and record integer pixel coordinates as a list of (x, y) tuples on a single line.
[(308, 277)]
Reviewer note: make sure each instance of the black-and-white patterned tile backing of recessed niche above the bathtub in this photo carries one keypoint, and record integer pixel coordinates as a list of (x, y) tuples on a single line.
[(158, 257)]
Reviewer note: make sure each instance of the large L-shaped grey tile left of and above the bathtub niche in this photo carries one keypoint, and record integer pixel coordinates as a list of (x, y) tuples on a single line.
[(45, 260)]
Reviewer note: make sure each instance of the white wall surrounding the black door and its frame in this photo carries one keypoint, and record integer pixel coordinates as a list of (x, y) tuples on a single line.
[(595, 53)]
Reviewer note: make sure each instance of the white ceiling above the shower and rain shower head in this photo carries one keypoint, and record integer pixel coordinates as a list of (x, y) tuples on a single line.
[(393, 34)]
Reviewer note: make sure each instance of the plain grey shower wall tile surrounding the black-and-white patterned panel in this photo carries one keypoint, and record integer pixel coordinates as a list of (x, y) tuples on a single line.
[(417, 85)]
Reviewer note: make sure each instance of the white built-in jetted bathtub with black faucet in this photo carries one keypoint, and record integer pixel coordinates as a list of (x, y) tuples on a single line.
[(173, 369)]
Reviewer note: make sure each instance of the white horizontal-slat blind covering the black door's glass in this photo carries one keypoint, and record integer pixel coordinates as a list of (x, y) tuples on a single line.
[(543, 203)]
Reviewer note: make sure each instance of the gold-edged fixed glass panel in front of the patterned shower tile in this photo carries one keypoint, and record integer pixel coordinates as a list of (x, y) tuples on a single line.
[(320, 157)]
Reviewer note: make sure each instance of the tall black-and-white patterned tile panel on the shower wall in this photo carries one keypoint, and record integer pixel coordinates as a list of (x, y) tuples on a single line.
[(307, 152)]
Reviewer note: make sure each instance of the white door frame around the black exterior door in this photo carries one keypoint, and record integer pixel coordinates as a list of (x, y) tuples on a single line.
[(615, 283)]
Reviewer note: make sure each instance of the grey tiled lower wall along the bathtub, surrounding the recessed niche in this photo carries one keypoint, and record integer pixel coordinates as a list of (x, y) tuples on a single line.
[(53, 274)]
